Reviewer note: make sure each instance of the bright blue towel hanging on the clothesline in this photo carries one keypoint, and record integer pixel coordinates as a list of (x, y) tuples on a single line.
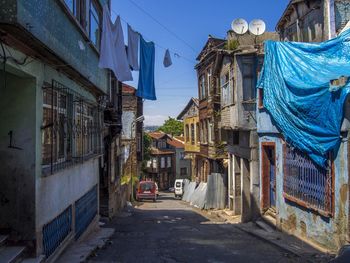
[(146, 87)]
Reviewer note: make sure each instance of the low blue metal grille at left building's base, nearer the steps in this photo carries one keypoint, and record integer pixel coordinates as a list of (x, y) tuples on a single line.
[(56, 231)]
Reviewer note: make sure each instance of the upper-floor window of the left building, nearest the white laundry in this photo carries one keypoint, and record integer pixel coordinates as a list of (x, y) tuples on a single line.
[(95, 23)]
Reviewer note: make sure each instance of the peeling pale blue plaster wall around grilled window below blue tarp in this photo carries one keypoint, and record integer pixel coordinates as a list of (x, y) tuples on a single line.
[(330, 232)]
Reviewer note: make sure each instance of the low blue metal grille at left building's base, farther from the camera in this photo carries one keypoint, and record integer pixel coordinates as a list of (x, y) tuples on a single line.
[(85, 211)]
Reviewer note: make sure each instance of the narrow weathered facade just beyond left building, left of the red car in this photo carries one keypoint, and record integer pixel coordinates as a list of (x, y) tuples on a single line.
[(132, 135)]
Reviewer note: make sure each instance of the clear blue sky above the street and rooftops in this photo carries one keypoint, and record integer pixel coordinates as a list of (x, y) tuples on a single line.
[(192, 21)]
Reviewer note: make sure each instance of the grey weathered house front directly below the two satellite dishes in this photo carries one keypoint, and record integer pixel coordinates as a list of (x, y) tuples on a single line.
[(238, 69)]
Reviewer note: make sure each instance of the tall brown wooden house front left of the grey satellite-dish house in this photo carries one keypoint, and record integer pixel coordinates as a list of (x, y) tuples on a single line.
[(212, 150)]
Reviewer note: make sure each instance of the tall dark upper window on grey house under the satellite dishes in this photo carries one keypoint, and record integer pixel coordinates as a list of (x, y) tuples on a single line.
[(248, 80)]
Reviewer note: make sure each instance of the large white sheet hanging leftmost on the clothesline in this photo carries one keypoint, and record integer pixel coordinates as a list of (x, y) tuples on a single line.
[(113, 52)]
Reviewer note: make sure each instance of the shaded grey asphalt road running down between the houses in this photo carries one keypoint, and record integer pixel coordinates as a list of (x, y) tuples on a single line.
[(172, 231)]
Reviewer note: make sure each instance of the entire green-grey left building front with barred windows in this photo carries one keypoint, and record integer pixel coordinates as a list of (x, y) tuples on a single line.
[(52, 125)]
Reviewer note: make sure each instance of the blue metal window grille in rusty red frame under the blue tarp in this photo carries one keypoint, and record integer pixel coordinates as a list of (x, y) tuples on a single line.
[(307, 184)]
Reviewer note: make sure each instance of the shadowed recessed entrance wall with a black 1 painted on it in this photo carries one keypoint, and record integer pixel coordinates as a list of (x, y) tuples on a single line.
[(17, 164)]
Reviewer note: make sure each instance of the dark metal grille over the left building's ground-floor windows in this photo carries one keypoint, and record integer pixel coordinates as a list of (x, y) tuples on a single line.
[(71, 130)]
